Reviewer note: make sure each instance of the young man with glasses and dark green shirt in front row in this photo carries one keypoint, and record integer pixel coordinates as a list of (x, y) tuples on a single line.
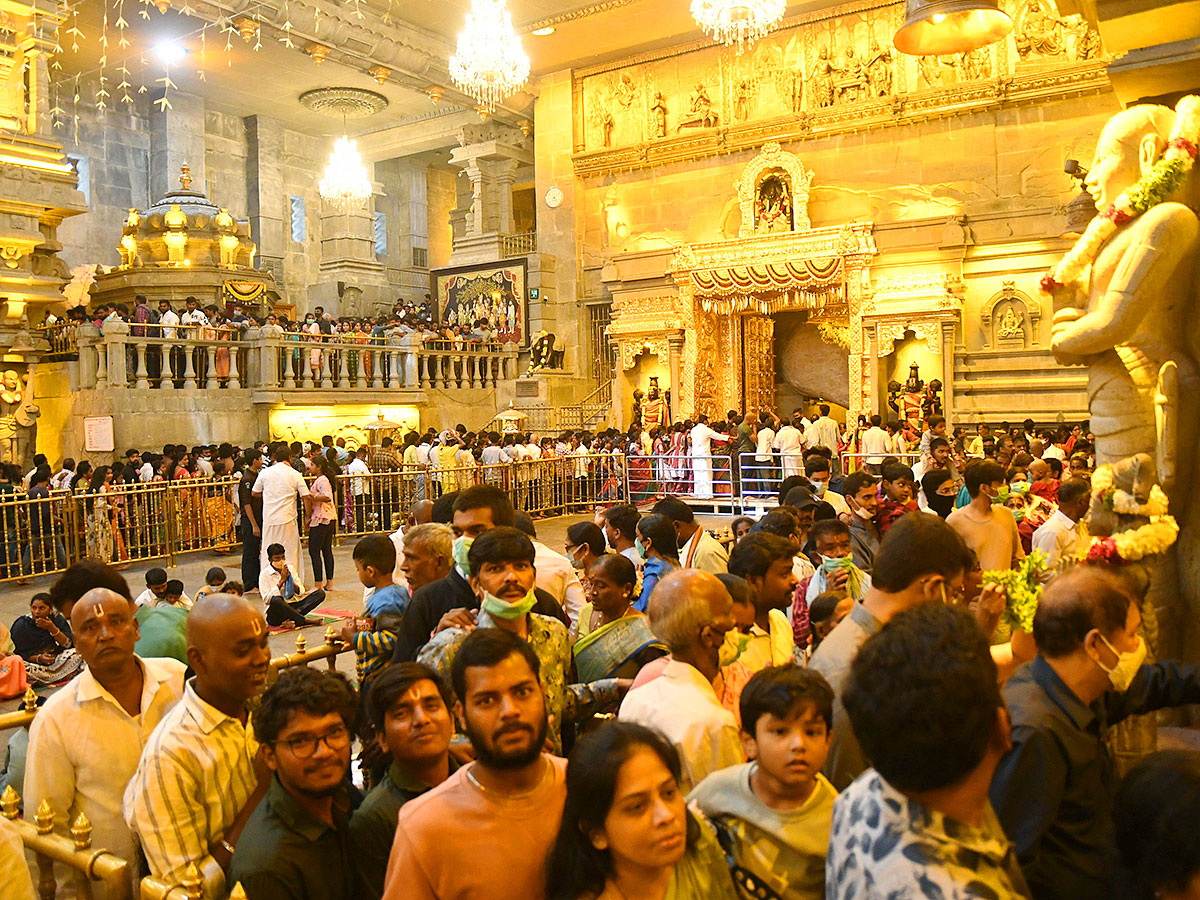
[(297, 844)]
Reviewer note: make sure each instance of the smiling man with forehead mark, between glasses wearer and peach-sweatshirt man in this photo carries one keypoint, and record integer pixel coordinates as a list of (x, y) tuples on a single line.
[(410, 709)]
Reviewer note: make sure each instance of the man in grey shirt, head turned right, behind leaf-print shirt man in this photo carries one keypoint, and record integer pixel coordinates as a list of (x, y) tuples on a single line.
[(921, 560)]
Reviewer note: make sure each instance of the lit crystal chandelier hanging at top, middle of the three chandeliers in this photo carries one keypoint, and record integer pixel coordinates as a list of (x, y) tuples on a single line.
[(489, 63)]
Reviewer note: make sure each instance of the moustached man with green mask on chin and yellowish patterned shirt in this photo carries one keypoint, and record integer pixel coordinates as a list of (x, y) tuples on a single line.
[(502, 577)]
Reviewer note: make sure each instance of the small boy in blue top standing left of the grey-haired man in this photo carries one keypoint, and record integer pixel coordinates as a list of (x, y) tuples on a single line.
[(375, 637)]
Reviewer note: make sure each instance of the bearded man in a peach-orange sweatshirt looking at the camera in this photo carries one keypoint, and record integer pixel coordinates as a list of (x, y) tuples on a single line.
[(487, 830)]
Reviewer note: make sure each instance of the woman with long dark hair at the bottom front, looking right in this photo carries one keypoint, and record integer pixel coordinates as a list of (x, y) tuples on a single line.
[(627, 832)]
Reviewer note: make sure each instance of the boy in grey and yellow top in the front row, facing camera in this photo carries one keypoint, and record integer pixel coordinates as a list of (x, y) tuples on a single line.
[(777, 811)]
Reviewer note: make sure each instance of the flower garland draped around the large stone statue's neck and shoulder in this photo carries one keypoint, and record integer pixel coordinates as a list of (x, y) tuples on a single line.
[(1153, 189)]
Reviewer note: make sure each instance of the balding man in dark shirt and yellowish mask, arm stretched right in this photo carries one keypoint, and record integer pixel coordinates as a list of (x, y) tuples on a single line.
[(1054, 790)]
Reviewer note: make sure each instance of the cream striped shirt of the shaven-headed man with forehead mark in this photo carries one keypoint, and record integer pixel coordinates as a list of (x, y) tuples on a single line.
[(196, 773)]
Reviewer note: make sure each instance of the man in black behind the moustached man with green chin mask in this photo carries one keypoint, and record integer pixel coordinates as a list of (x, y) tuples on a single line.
[(451, 601)]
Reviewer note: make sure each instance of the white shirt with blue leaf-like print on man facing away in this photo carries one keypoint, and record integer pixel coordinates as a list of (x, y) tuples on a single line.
[(885, 845)]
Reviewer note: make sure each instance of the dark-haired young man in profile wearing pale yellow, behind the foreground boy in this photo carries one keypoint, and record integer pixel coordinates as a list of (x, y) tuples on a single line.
[(765, 561)]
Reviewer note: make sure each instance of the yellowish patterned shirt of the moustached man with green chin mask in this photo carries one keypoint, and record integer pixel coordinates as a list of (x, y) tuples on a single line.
[(566, 703)]
